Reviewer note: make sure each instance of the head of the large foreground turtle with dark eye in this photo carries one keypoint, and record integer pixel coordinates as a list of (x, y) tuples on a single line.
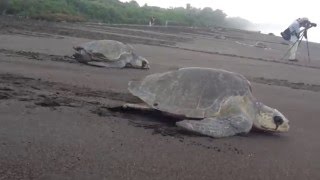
[(269, 119)]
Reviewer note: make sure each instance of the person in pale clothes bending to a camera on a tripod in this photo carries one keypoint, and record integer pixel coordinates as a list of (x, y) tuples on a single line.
[(293, 34)]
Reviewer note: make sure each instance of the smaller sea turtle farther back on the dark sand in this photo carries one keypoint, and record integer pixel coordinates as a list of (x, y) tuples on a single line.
[(110, 54)]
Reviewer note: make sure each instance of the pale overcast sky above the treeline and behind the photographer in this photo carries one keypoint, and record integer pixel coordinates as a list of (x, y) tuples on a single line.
[(276, 15)]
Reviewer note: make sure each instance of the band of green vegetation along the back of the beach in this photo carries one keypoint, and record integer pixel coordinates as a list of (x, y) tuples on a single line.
[(114, 11)]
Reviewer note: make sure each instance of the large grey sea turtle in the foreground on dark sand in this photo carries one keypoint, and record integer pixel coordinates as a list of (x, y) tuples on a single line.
[(212, 102)]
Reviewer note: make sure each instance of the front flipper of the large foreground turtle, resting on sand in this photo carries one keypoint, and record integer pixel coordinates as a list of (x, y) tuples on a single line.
[(218, 127)]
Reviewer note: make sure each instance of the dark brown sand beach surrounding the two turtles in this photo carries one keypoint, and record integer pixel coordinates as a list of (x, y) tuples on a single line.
[(55, 122)]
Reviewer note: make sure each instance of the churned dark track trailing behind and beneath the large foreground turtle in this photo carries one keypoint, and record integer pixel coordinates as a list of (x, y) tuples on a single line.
[(39, 93)]
